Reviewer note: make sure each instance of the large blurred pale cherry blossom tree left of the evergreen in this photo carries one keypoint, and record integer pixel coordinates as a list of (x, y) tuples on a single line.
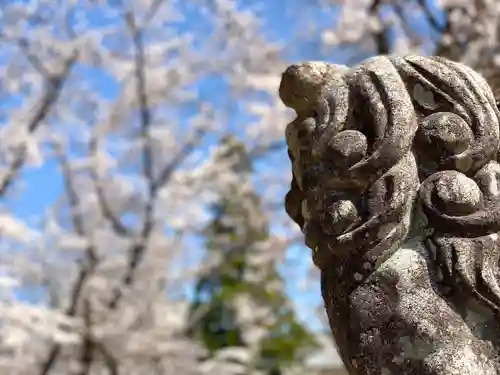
[(128, 99)]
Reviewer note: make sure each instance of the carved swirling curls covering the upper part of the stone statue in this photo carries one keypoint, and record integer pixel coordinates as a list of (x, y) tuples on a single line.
[(371, 141)]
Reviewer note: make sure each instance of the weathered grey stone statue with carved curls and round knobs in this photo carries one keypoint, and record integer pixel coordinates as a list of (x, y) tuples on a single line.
[(396, 187)]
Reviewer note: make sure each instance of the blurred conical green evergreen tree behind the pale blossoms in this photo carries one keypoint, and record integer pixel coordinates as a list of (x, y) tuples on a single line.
[(242, 275)]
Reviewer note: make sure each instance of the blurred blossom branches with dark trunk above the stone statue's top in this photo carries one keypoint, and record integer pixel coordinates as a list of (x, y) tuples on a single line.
[(465, 31)]
